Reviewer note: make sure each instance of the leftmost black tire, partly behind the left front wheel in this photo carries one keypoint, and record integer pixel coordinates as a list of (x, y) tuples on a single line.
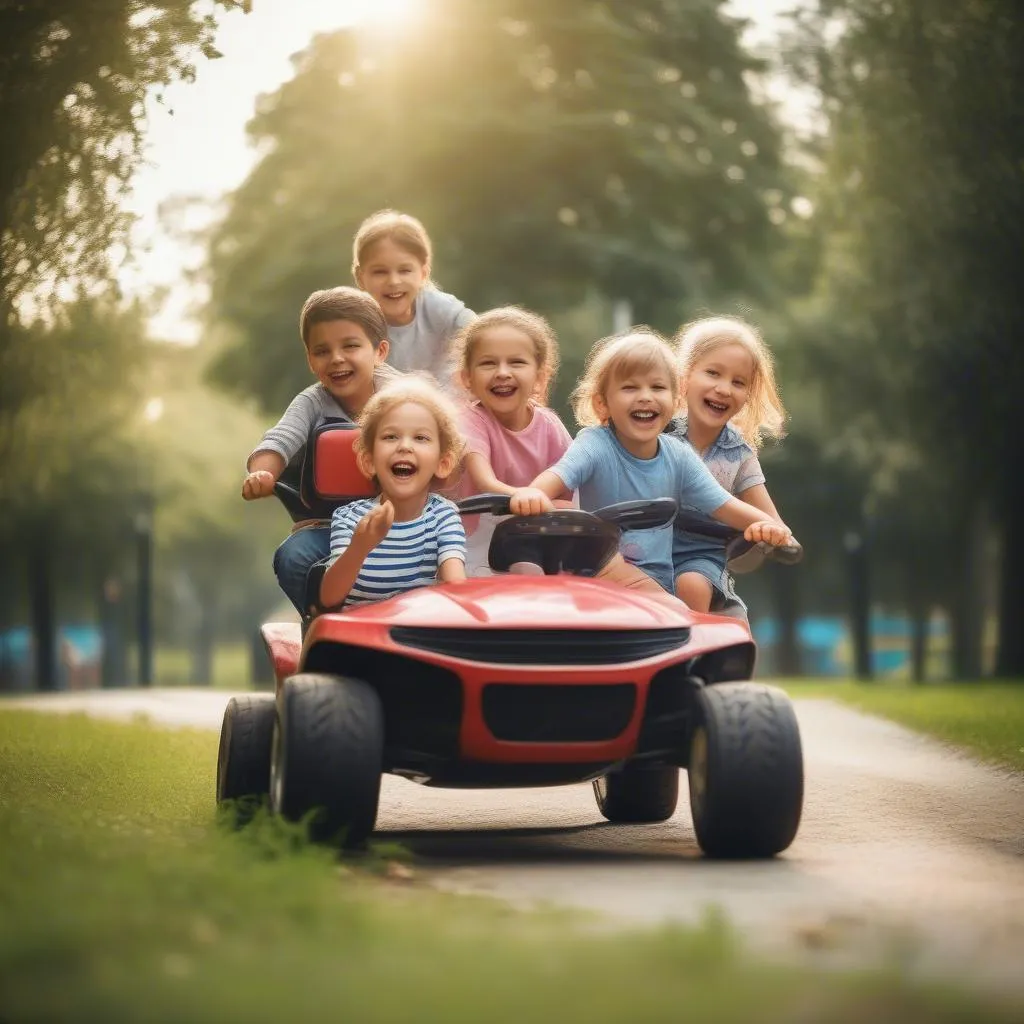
[(244, 756)]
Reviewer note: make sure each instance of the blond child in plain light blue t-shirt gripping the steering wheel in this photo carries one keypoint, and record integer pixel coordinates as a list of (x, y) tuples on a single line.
[(627, 397)]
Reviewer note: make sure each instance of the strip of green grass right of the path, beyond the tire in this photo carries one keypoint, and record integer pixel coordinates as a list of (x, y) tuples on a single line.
[(987, 719)]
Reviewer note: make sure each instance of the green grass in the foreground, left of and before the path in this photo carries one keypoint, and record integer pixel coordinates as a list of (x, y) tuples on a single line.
[(123, 900)]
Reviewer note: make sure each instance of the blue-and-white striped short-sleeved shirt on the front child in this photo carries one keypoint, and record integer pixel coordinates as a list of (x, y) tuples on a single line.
[(410, 554)]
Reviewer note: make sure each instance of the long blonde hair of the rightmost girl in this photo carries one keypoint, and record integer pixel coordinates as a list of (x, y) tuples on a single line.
[(763, 414)]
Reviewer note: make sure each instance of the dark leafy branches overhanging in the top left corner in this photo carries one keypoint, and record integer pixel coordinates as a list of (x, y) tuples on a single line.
[(74, 76)]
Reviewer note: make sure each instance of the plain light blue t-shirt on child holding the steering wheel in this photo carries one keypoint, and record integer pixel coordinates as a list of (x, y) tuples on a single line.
[(605, 474)]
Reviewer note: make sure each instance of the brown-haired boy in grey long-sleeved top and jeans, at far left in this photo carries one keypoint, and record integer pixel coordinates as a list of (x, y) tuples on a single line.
[(346, 337)]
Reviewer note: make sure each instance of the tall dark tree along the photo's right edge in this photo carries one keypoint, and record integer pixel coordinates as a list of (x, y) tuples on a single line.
[(923, 320)]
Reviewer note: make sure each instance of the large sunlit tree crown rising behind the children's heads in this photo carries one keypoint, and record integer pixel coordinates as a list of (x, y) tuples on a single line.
[(553, 150)]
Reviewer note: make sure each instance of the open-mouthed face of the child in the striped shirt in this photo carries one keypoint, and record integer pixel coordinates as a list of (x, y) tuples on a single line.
[(407, 453)]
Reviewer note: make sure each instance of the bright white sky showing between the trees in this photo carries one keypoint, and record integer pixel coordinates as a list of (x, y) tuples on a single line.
[(196, 144)]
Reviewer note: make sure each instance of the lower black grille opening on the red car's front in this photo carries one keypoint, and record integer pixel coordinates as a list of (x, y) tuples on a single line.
[(552, 713)]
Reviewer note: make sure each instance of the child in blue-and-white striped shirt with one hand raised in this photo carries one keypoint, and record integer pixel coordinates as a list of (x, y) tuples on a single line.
[(408, 537)]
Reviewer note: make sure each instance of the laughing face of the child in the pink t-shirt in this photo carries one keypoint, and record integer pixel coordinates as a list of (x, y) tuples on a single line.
[(504, 374)]
